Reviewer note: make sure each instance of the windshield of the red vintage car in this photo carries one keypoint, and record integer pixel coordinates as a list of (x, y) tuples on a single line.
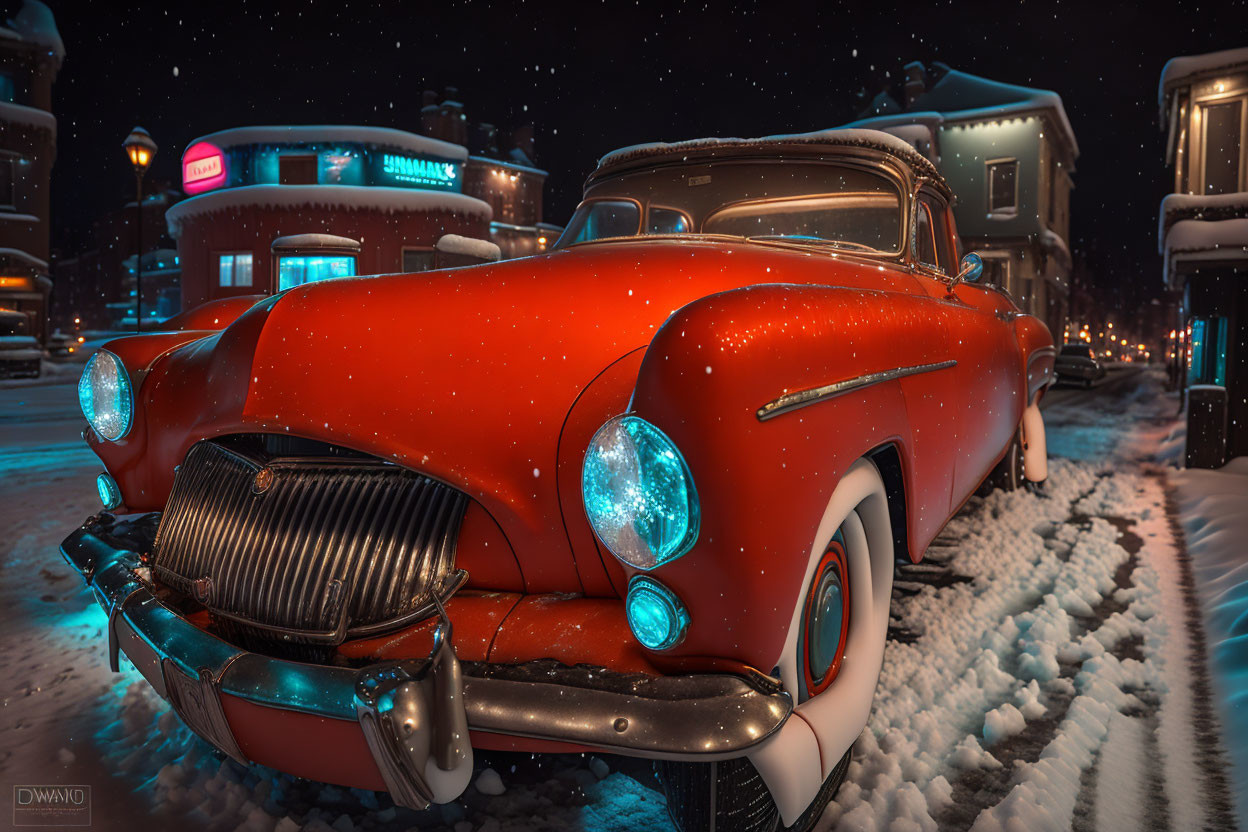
[(826, 204)]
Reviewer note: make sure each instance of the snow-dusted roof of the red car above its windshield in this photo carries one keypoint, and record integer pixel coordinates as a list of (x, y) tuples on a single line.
[(811, 145)]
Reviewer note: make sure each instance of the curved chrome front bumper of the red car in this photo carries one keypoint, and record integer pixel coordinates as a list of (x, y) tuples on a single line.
[(706, 718)]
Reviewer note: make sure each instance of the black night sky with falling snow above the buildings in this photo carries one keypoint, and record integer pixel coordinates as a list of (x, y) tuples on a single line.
[(595, 77)]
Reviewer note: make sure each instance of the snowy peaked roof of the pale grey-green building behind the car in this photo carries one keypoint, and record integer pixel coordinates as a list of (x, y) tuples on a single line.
[(962, 97)]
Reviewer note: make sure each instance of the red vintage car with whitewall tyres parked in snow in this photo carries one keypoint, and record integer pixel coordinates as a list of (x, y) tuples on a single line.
[(641, 496)]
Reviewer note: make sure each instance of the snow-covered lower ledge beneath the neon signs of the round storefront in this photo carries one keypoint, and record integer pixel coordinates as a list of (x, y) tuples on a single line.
[(325, 196)]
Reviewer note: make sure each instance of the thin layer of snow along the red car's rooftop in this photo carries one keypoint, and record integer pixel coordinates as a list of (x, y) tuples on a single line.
[(843, 138)]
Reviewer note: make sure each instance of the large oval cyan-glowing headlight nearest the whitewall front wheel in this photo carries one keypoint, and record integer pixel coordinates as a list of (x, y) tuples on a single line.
[(640, 495)]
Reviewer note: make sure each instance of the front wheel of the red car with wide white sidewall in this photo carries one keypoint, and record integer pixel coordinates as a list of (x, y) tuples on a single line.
[(833, 693)]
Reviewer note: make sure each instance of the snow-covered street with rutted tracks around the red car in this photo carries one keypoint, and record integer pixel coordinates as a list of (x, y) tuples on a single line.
[(1046, 670)]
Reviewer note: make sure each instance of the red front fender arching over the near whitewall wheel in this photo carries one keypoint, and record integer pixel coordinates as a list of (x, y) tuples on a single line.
[(763, 485)]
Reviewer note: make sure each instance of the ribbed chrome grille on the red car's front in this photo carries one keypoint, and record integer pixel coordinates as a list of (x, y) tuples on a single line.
[(311, 549)]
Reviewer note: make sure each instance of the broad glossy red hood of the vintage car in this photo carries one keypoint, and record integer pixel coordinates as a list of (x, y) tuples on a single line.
[(467, 375)]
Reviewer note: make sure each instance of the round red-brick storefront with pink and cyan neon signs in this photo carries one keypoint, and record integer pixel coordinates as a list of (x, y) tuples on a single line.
[(391, 195)]
